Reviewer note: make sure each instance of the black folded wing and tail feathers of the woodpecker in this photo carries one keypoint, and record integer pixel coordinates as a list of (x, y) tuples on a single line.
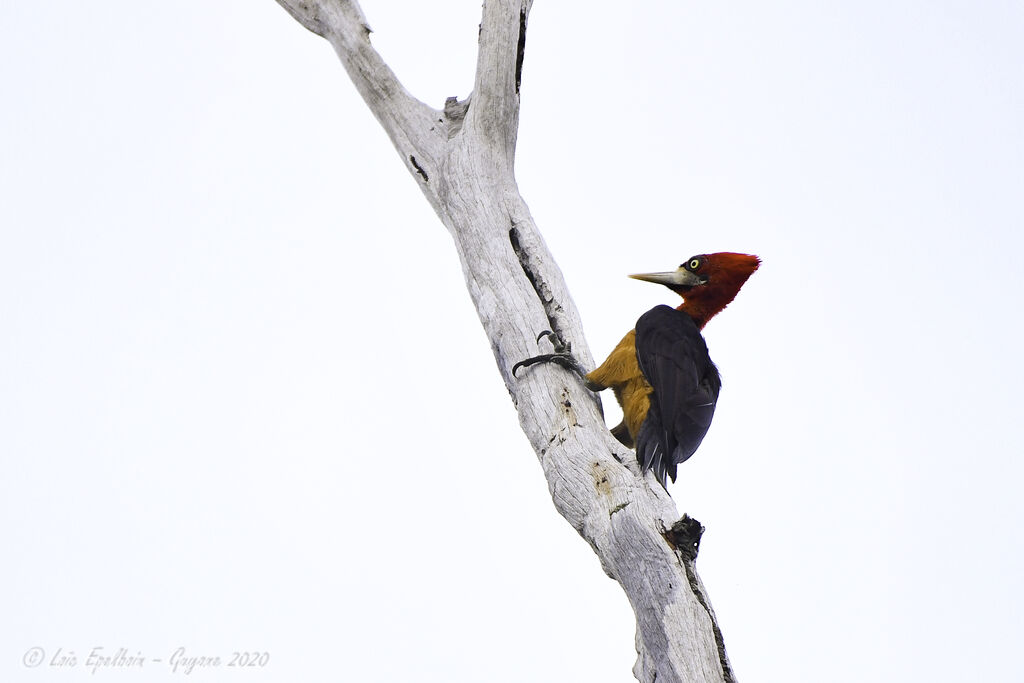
[(674, 358)]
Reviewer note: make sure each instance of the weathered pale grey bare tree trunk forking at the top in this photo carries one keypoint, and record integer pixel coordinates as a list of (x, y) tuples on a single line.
[(462, 157)]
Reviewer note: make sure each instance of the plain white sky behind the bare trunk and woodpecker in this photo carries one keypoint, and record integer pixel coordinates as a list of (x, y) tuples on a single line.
[(246, 404)]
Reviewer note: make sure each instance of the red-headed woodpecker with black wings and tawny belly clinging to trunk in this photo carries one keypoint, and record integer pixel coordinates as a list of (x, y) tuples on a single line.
[(661, 372)]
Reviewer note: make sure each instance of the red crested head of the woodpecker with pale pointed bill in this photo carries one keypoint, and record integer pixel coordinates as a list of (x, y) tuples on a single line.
[(707, 282)]
